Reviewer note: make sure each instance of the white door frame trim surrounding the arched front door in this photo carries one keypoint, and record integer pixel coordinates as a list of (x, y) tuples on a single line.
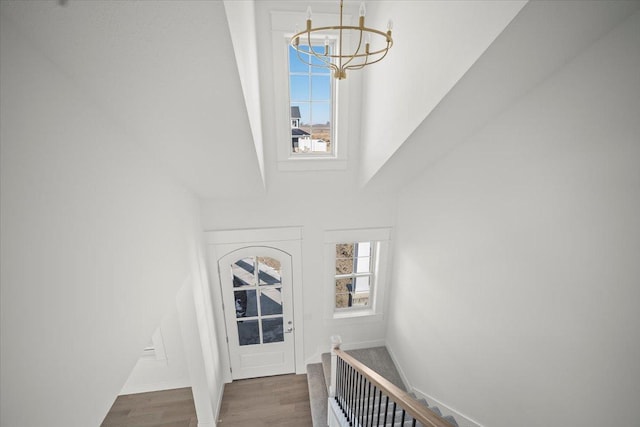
[(221, 242)]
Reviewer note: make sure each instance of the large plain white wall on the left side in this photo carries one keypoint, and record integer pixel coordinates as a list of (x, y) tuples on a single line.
[(95, 244)]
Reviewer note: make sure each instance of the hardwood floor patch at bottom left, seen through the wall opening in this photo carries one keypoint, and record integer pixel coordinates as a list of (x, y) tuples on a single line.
[(167, 408)]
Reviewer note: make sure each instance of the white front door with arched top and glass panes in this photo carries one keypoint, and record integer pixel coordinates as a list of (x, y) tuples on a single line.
[(257, 294)]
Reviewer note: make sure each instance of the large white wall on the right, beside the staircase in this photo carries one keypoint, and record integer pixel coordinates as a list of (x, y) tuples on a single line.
[(516, 267)]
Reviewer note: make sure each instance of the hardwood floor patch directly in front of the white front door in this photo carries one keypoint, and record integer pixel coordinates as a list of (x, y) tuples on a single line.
[(281, 401)]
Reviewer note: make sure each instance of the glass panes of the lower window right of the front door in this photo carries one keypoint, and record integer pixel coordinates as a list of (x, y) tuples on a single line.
[(354, 274)]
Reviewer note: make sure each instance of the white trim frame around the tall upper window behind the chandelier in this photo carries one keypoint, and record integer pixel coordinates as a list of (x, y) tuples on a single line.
[(282, 26)]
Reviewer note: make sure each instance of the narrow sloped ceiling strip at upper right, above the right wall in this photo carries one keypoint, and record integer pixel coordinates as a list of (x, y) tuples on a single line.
[(521, 58)]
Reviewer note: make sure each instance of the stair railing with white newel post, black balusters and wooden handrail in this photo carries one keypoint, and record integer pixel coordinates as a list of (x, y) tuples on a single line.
[(365, 398)]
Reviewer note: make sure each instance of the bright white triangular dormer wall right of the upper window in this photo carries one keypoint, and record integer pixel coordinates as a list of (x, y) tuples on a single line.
[(430, 54)]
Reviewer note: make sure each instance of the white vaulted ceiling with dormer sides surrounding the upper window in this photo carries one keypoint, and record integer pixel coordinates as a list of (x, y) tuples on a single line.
[(167, 74)]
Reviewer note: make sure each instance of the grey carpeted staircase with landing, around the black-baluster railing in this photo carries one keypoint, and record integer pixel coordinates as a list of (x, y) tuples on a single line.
[(377, 359)]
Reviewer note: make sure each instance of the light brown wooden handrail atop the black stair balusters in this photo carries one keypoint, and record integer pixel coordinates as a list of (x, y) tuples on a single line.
[(401, 397)]
